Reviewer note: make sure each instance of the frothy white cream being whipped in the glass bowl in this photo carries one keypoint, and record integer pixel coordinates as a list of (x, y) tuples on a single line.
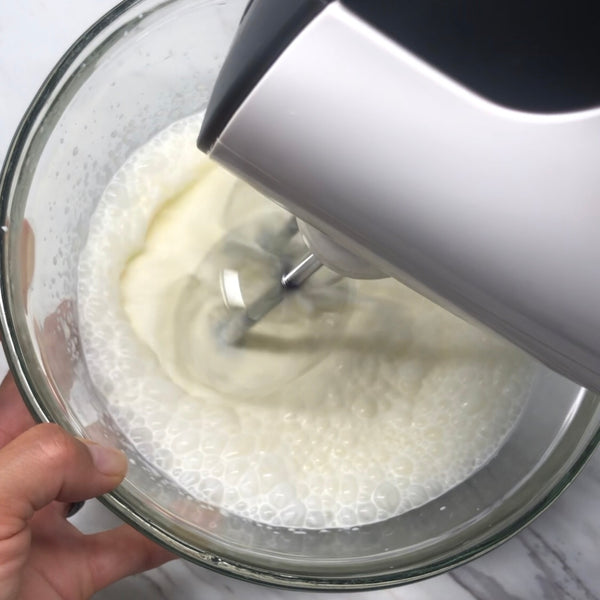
[(351, 403)]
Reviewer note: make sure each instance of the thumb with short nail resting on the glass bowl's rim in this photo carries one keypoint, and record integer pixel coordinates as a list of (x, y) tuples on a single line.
[(45, 464)]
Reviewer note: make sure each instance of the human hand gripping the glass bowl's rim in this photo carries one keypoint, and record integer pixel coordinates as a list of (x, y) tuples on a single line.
[(43, 470)]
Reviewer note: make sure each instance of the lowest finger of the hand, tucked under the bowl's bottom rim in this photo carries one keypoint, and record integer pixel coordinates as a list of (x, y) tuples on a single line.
[(121, 552)]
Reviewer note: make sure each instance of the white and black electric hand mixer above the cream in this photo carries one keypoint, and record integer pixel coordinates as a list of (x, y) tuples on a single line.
[(453, 146)]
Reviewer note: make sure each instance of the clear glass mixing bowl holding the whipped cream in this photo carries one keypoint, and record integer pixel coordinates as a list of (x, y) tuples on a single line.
[(144, 65)]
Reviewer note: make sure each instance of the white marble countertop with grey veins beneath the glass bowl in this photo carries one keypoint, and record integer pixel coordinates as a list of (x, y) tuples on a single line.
[(556, 558)]
